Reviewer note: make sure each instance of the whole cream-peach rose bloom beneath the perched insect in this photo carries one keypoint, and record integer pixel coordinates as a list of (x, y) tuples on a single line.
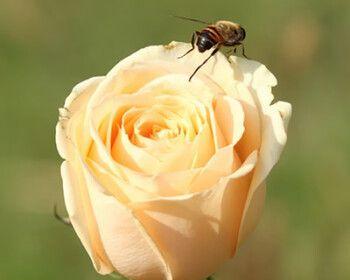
[(163, 178)]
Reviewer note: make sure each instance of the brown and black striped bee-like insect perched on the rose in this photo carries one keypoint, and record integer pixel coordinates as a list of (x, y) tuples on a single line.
[(221, 33)]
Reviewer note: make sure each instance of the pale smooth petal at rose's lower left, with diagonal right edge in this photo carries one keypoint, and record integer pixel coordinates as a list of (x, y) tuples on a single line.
[(128, 246)]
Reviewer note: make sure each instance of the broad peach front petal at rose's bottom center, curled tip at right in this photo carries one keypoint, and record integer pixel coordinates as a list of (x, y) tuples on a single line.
[(197, 232)]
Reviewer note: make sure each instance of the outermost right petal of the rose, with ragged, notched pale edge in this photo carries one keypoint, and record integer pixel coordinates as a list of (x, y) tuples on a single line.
[(273, 121)]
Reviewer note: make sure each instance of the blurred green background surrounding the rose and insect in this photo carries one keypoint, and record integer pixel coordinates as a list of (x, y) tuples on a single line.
[(47, 46)]
